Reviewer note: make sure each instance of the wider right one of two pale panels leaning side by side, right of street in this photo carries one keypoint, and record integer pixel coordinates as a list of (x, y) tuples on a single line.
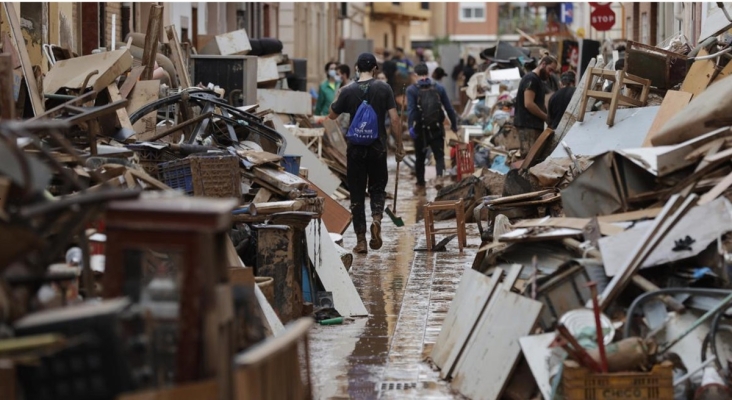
[(490, 360)]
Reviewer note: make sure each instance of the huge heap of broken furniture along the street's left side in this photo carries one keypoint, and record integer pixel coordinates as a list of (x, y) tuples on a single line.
[(167, 191)]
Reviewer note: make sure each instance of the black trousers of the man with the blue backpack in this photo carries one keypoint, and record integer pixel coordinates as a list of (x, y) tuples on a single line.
[(366, 168)]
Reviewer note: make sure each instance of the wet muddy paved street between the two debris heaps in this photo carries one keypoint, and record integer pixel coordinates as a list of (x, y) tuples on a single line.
[(407, 294)]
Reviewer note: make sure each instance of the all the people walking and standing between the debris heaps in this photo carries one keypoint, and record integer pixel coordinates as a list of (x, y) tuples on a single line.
[(369, 100)]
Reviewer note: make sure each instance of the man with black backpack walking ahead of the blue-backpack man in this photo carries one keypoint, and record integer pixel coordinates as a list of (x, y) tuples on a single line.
[(425, 102)]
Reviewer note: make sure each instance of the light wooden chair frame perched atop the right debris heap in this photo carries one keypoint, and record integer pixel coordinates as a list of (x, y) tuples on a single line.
[(616, 98)]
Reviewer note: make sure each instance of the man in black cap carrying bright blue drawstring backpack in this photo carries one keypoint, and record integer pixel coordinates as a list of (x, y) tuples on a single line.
[(367, 101)]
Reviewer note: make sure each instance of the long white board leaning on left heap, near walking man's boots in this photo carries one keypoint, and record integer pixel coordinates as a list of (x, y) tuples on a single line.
[(330, 269)]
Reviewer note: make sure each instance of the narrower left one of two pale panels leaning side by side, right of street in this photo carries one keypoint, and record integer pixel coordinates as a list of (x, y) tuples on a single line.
[(471, 298)]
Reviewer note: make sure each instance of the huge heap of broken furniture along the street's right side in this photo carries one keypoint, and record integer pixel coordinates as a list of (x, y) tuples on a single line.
[(605, 272)]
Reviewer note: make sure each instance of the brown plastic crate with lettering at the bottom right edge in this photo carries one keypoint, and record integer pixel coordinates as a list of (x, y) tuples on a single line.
[(582, 384)]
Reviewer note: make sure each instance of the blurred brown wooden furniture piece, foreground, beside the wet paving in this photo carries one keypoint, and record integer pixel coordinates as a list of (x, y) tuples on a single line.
[(278, 368)]
